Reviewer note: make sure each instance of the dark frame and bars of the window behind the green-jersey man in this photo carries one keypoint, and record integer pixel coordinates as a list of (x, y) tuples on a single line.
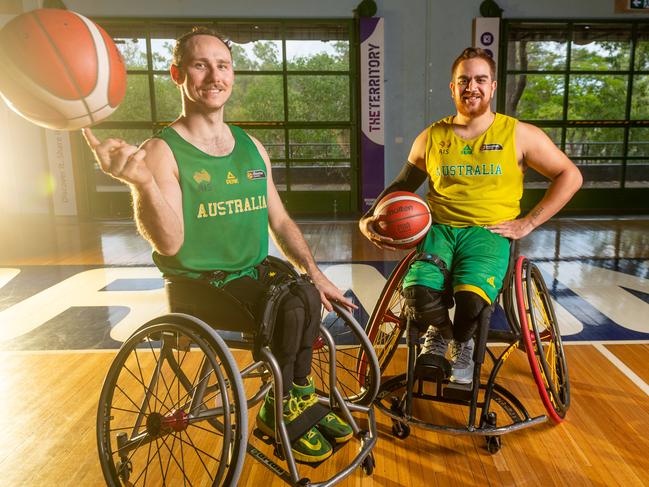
[(298, 202)]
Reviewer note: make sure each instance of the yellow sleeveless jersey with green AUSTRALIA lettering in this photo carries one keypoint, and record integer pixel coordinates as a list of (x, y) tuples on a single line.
[(473, 182)]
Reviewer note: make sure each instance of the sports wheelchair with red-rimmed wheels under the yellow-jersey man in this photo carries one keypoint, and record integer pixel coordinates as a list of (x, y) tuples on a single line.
[(530, 324)]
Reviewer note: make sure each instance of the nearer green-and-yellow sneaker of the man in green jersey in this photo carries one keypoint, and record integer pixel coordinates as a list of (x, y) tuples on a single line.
[(311, 447)]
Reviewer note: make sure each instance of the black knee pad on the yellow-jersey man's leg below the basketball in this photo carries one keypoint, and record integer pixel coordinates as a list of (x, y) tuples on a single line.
[(425, 307)]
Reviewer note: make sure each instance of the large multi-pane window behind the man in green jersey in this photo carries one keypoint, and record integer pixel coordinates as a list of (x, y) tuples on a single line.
[(294, 91)]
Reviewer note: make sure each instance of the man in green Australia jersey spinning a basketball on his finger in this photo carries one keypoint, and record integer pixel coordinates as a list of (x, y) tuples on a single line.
[(204, 198)]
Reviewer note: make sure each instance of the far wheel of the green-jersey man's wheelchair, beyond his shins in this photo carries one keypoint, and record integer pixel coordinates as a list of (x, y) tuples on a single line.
[(351, 342)]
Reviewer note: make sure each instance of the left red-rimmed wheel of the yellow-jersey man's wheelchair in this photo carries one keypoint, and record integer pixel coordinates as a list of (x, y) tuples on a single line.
[(386, 325)]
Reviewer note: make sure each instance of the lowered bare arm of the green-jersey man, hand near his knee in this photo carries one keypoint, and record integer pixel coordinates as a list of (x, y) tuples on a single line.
[(291, 242)]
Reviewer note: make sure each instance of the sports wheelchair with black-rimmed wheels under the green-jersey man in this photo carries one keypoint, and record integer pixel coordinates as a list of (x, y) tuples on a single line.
[(173, 409)]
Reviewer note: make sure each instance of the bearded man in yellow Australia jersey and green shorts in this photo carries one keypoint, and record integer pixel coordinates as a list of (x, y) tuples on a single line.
[(474, 162)]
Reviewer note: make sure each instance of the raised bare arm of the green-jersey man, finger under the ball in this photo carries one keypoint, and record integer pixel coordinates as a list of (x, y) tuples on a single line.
[(152, 175)]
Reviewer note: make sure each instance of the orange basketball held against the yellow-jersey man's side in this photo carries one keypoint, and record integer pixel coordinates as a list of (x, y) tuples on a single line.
[(404, 217)]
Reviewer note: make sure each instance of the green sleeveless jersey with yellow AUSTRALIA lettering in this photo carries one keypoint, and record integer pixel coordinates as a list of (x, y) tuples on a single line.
[(224, 208)]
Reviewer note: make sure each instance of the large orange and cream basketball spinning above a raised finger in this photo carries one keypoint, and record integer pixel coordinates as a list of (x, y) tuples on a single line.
[(59, 69)]
